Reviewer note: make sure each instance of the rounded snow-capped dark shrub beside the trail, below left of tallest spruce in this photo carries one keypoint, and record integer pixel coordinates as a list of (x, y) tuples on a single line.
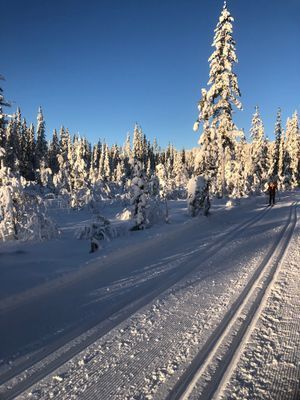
[(198, 196)]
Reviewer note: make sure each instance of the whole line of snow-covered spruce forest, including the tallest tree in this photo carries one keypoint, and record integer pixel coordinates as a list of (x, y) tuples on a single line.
[(70, 167)]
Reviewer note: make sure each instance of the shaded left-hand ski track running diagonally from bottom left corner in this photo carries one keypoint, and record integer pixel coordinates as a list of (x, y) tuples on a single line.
[(40, 365)]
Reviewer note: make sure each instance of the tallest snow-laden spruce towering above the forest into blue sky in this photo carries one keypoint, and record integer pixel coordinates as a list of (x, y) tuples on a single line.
[(215, 107)]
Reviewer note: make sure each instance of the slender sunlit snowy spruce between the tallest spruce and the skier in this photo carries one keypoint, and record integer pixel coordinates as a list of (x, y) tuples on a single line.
[(258, 152)]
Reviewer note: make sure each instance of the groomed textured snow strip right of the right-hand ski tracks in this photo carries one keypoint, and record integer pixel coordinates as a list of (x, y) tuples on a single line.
[(268, 367)]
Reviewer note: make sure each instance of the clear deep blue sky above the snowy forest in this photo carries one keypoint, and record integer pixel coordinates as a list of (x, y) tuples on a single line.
[(97, 67)]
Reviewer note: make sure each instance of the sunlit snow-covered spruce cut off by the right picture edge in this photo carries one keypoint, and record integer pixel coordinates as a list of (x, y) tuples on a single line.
[(292, 152)]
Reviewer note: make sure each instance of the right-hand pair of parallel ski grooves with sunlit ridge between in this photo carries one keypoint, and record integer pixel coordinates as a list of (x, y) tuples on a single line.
[(234, 324)]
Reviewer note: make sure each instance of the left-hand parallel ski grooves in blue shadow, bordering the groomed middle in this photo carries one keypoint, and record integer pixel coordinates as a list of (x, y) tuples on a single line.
[(47, 361)]
